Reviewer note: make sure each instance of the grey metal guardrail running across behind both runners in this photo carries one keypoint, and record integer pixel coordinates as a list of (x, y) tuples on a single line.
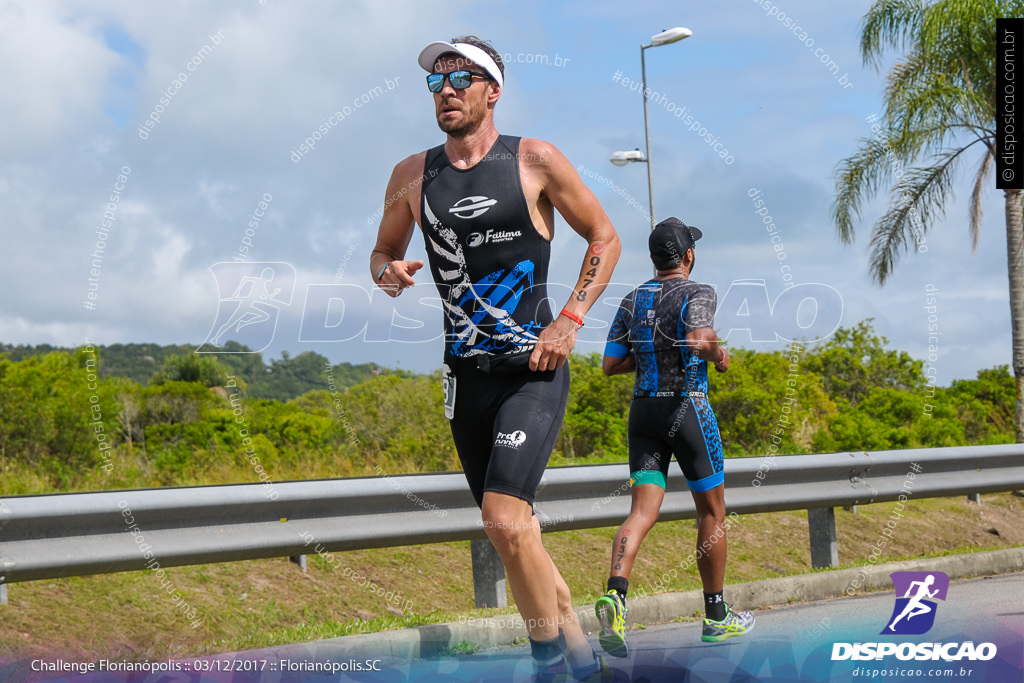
[(71, 535)]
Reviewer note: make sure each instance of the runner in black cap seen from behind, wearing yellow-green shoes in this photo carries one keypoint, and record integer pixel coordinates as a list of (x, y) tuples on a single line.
[(664, 332)]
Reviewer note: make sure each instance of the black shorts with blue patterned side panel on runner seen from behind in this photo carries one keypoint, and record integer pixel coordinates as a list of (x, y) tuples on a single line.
[(682, 425)]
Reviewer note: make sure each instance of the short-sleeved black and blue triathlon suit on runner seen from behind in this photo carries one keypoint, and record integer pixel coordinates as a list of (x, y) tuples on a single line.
[(670, 413)]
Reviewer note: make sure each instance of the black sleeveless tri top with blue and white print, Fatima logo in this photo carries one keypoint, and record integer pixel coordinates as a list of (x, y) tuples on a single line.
[(488, 261)]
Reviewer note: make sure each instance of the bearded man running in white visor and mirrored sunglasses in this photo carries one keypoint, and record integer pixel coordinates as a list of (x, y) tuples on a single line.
[(486, 206)]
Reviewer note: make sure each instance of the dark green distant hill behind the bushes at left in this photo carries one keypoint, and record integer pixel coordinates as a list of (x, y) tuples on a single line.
[(284, 379)]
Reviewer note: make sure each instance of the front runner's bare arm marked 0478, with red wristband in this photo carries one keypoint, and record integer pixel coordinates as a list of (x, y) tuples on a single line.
[(571, 197)]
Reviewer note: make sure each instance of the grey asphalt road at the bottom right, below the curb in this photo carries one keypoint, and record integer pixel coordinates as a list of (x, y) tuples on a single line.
[(796, 643)]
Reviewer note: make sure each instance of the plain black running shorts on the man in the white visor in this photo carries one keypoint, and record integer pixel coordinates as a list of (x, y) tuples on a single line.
[(505, 426)]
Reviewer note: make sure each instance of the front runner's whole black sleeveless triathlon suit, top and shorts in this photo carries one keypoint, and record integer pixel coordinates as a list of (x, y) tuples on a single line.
[(491, 269)]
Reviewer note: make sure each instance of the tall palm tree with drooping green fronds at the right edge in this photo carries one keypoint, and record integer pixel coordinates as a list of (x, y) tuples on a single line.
[(940, 115)]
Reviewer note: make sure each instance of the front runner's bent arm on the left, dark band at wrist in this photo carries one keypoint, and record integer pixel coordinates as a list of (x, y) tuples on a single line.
[(397, 227)]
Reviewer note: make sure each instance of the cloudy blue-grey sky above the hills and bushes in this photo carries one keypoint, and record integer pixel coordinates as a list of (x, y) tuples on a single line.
[(81, 80)]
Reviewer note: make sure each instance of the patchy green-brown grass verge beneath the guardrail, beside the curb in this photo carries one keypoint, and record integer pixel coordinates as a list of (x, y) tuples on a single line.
[(261, 604)]
